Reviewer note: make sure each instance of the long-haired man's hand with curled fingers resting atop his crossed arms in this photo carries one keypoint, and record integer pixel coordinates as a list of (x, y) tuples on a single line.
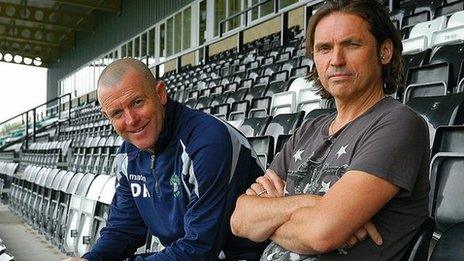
[(269, 185)]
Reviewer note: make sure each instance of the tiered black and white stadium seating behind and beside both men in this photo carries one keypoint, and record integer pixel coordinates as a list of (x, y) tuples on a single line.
[(63, 184)]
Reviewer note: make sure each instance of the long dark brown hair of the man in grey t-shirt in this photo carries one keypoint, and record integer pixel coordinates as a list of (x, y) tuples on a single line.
[(380, 26)]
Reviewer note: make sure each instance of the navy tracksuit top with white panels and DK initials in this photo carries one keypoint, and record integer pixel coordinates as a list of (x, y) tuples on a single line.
[(184, 194)]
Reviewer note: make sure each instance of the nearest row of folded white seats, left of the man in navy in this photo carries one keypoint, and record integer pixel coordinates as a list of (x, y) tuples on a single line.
[(68, 208)]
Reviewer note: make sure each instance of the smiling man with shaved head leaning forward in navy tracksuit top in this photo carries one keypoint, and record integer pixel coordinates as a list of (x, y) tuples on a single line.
[(179, 173)]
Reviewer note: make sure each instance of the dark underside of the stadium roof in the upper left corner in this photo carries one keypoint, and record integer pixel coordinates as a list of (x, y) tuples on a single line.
[(35, 32)]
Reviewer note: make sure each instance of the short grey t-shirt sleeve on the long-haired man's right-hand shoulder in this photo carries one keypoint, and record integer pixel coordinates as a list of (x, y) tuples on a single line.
[(394, 149)]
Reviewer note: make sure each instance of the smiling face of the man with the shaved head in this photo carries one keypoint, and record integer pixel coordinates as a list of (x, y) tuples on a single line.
[(135, 109)]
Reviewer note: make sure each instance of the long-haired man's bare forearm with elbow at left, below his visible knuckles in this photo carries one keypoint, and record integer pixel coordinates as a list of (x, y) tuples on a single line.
[(257, 218)]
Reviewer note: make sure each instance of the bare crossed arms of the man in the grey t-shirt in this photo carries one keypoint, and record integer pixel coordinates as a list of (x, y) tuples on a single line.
[(310, 224)]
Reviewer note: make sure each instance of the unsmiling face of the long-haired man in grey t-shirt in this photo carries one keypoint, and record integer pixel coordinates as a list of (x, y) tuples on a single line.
[(345, 55)]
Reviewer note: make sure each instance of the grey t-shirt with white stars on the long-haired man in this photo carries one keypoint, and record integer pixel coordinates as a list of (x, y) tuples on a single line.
[(389, 141)]
